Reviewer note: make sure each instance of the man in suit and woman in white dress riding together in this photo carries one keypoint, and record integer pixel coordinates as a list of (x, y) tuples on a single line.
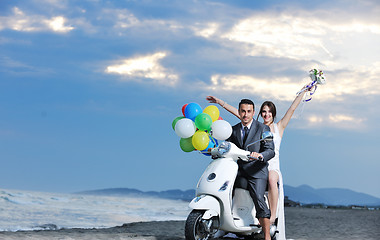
[(260, 173)]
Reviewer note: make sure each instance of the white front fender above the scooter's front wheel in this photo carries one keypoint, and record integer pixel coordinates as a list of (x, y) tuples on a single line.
[(208, 203)]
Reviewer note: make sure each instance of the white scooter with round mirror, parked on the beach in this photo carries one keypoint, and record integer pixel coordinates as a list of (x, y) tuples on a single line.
[(215, 211)]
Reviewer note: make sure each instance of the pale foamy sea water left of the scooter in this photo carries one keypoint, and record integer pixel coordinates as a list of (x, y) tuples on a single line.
[(25, 210)]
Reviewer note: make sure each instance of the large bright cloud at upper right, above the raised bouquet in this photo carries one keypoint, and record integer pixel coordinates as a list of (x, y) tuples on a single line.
[(334, 41)]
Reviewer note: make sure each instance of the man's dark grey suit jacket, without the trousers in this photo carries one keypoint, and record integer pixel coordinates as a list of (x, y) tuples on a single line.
[(256, 169)]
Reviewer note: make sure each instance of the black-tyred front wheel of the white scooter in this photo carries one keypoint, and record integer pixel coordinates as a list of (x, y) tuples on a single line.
[(198, 229)]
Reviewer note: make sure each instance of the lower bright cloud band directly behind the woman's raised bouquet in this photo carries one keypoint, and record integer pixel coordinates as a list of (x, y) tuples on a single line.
[(339, 86)]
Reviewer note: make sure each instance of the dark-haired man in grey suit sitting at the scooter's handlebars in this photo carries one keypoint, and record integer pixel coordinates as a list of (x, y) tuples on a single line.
[(253, 175)]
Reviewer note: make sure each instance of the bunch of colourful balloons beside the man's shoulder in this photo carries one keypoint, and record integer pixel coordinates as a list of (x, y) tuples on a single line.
[(200, 130)]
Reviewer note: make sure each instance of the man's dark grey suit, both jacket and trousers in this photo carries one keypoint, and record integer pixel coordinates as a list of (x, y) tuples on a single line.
[(253, 175)]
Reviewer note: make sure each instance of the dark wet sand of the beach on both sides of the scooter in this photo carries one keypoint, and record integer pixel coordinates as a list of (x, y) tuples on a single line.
[(301, 224)]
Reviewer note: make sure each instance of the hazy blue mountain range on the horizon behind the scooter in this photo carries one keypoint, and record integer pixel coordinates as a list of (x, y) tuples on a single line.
[(303, 194)]
